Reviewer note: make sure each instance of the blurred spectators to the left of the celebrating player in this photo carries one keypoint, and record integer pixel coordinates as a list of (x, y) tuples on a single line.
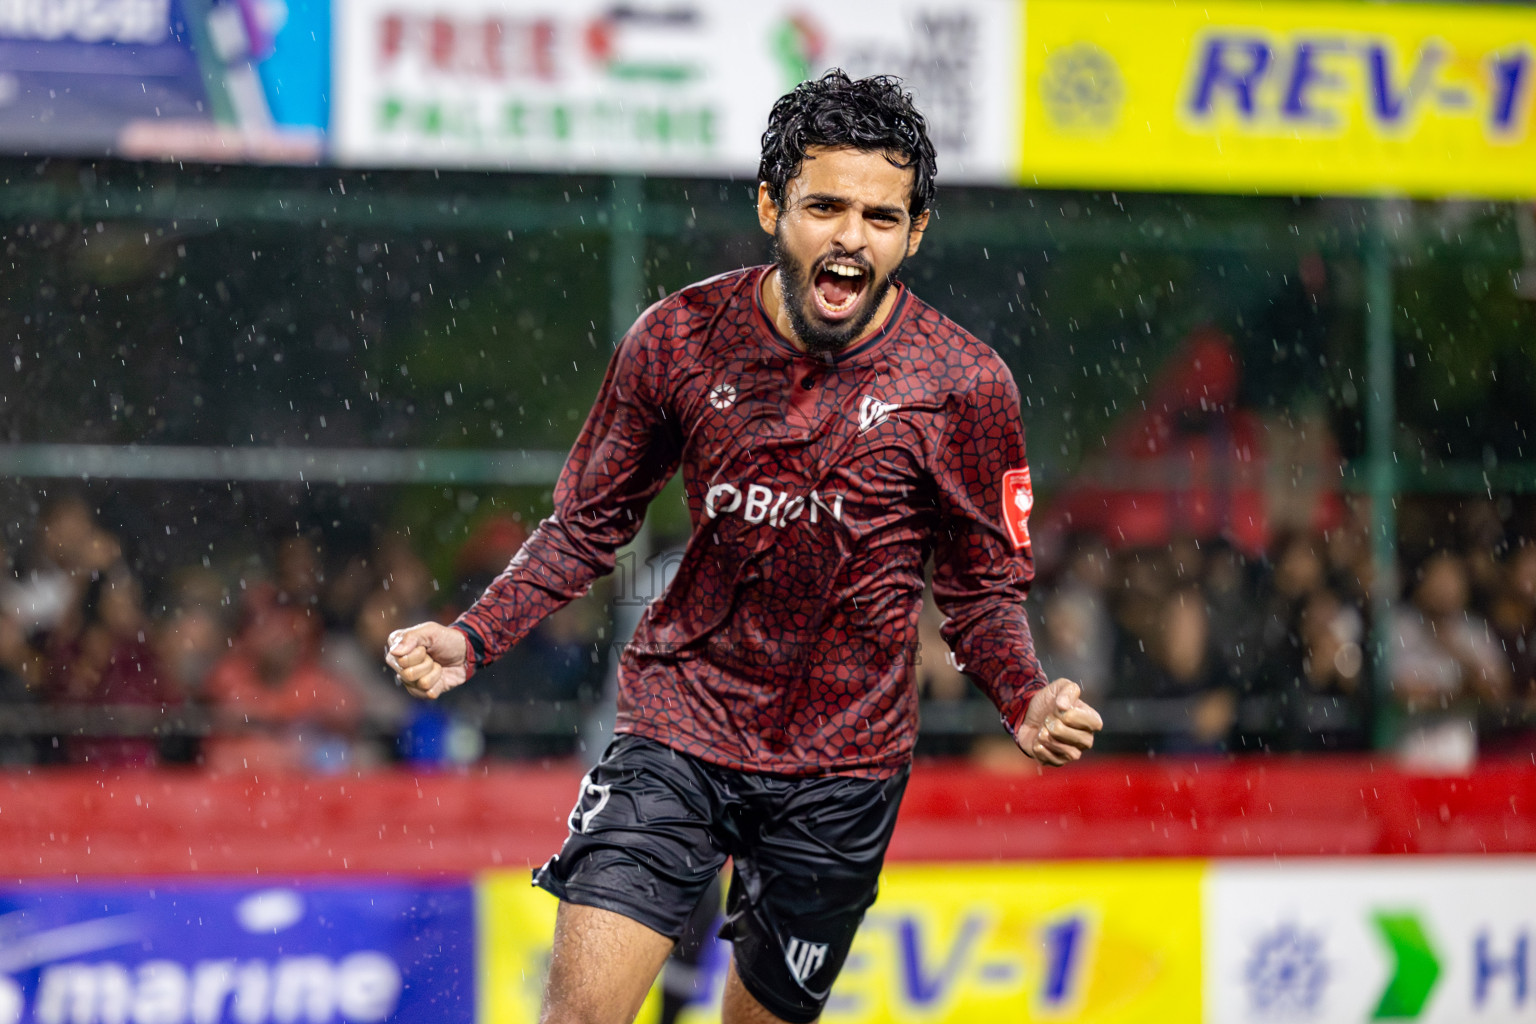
[(276, 667)]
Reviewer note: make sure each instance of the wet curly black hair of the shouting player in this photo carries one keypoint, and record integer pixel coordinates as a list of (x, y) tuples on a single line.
[(872, 114)]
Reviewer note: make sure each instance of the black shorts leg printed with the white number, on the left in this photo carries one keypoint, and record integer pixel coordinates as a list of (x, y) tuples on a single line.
[(644, 837)]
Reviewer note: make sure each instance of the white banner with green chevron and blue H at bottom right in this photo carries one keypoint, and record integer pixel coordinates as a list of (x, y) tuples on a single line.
[(1434, 940)]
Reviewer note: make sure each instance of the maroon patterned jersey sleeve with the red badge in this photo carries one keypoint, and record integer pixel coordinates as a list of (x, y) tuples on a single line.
[(984, 563)]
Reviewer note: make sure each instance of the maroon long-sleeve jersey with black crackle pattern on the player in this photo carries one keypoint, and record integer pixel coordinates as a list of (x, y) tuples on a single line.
[(818, 491)]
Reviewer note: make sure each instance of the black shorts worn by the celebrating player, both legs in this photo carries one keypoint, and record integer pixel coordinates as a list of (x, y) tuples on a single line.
[(652, 828)]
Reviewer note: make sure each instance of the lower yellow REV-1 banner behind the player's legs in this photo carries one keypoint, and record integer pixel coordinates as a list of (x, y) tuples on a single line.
[(1068, 943)]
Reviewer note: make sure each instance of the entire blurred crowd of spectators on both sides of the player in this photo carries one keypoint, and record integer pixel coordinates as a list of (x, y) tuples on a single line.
[(1191, 649)]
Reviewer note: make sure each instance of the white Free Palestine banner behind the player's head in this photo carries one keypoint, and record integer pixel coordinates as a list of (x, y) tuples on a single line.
[(670, 87)]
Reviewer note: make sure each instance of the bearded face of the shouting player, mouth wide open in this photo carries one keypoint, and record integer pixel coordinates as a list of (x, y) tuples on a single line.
[(839, 239)]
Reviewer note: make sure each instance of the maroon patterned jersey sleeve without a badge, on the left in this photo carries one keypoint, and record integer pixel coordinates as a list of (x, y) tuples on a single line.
[(626, 452)]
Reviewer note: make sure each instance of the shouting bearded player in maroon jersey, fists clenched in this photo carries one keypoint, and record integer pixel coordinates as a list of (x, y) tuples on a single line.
[(835, 432)]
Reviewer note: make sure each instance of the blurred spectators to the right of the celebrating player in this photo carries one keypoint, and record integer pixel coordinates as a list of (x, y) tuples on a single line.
[(1202, 649)]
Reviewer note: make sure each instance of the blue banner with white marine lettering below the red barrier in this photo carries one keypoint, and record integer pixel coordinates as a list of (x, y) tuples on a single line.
[(211, 953)]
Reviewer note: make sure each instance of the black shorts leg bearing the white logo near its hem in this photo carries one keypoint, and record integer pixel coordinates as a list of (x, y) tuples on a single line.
[(807, 870)]
